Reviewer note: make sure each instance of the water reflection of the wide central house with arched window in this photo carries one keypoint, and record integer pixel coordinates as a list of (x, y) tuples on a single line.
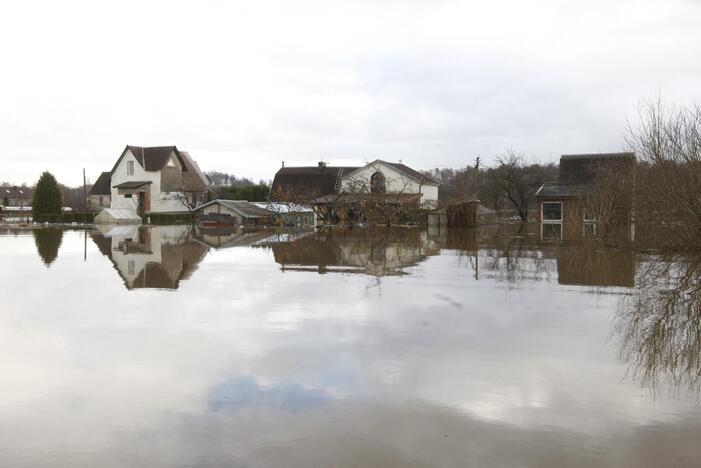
[(376, 253)]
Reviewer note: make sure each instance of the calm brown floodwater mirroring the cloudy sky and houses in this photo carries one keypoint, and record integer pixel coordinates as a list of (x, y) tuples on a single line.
[(168, 347)]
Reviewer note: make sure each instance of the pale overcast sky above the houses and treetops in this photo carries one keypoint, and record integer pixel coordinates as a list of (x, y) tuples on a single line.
[(245, 85)]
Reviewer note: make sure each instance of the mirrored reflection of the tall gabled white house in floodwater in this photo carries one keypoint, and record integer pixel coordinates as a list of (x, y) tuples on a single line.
[(151, 256)]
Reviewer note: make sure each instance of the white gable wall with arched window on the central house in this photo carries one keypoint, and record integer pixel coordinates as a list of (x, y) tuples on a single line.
[(395, 182)]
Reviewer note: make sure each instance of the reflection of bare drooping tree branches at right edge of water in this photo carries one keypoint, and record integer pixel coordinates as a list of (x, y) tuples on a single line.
[(660, 324)]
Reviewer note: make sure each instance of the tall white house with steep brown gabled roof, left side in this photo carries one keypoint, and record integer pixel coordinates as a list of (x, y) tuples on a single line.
[(159, 179)]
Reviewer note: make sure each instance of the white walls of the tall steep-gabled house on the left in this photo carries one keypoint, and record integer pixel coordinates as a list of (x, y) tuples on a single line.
[(160, 202)]
